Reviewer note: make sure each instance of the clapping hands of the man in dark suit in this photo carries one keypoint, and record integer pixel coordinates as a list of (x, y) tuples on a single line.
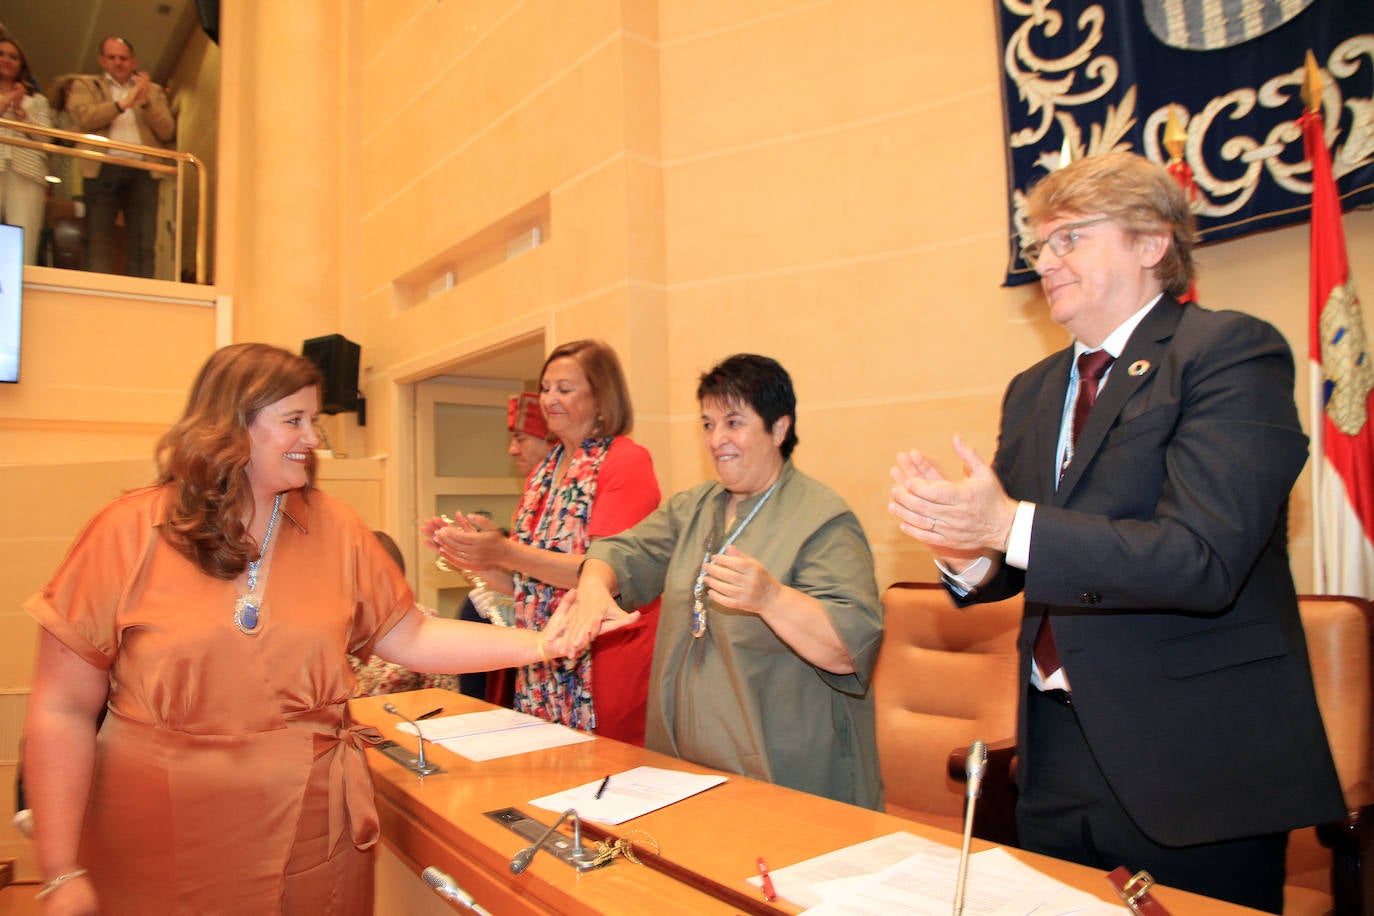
[(957, 518)]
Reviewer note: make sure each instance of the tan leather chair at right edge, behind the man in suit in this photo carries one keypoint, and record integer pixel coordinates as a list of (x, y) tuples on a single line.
[(1340, 642)]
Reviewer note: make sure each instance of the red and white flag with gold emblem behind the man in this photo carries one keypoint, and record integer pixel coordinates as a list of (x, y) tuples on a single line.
[(1343, 378)]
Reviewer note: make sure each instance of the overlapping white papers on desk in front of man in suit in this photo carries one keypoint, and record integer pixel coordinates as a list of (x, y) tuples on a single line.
[(906, 874)]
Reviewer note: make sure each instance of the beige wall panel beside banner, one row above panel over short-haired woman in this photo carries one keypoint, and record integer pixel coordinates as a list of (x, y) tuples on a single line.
[(829, 197)]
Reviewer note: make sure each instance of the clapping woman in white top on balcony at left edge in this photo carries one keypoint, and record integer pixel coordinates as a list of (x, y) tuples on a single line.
[(23, 172)]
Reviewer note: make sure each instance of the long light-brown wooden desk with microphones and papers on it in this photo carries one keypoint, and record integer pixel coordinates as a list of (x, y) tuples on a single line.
[(440, 821)]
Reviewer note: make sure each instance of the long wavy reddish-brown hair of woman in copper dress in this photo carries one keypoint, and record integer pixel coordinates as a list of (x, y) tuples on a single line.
[(205, 455)]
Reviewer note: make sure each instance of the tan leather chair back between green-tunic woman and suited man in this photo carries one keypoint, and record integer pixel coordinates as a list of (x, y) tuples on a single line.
[(946, 676)]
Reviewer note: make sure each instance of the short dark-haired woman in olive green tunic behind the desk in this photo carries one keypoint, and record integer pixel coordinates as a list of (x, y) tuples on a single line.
[(772, 620)]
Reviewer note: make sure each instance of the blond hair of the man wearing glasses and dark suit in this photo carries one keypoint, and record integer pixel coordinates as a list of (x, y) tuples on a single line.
[(1136, 193)]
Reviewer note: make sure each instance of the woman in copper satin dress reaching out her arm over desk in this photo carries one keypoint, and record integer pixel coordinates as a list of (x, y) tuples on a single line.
[(212, 615)]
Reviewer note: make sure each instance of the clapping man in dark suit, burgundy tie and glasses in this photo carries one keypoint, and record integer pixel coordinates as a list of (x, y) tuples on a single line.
[(1170, 720)]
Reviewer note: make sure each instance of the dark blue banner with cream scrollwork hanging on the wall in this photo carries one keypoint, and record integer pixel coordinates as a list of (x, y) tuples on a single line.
[(1094, 76)]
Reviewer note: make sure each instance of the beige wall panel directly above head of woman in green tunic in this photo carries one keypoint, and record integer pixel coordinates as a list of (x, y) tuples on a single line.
[(868, 330)]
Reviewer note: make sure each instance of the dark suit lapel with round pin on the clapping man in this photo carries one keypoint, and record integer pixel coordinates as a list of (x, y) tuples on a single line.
[(1133, 370)]
